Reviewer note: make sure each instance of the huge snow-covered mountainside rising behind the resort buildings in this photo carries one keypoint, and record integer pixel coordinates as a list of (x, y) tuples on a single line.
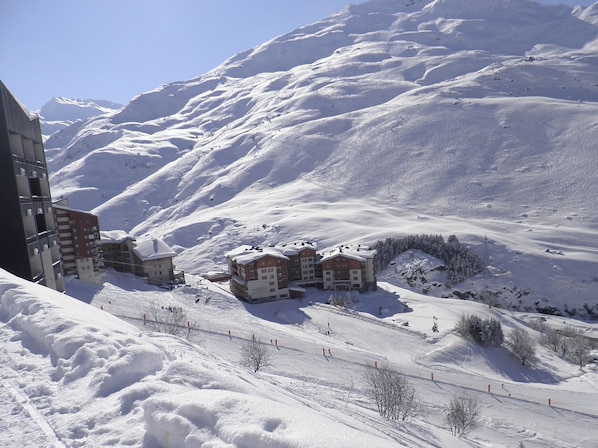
[(387, 118)]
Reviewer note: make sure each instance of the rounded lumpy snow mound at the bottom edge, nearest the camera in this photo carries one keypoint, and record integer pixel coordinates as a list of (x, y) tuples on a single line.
[(229, 419)]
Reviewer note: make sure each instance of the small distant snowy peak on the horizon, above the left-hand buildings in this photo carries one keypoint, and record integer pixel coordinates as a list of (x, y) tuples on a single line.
[(59, 112)]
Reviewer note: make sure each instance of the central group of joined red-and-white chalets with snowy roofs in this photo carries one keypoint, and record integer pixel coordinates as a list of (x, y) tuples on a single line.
[(268, 273)]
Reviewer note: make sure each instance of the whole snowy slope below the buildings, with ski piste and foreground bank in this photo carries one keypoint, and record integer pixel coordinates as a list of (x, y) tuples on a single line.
[(75, 375)]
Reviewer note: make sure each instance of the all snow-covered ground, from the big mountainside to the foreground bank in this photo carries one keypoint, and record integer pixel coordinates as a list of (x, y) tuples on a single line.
[(389, 118)]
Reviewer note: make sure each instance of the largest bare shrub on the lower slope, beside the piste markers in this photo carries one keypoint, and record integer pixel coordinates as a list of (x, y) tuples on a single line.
[(395, 398)]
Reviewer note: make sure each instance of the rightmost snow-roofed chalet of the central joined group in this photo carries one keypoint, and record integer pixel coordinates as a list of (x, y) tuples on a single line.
[(349, 267)]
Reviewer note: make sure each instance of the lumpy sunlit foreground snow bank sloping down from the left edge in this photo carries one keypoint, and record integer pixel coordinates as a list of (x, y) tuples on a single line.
[(99, 381)]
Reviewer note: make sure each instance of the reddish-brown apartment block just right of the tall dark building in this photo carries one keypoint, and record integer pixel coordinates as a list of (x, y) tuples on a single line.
[(79, 233)]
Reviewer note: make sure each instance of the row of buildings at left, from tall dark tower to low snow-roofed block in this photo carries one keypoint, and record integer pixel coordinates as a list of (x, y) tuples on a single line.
[(42, 241)]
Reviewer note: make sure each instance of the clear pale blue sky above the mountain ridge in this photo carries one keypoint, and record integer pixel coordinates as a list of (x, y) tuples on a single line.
[(116, 49)]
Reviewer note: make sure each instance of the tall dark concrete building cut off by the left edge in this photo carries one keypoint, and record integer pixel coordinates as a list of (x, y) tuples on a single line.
[(28, 234)]
